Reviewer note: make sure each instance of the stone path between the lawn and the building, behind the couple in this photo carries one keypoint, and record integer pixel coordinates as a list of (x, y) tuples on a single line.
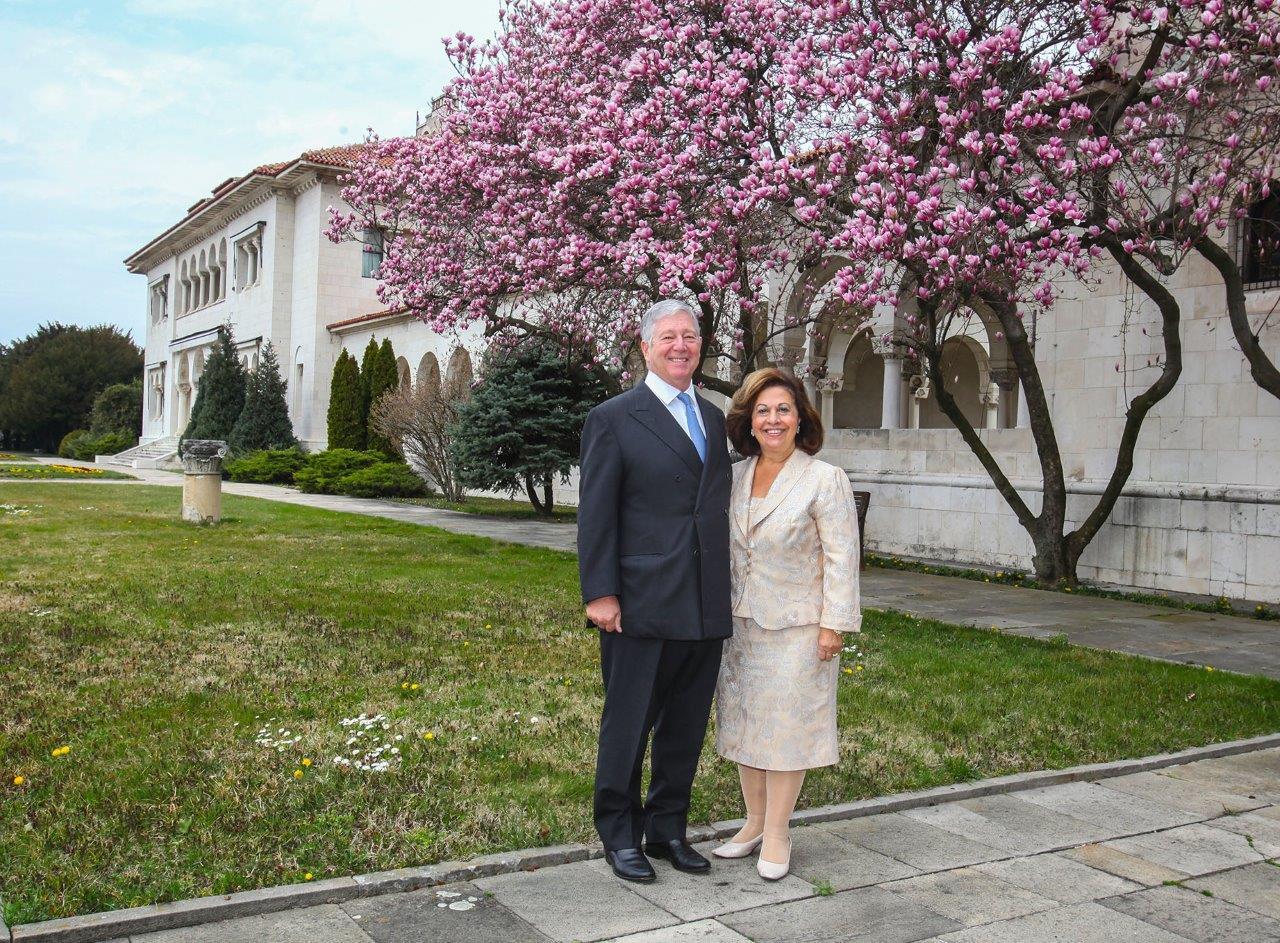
[(1231, 643)]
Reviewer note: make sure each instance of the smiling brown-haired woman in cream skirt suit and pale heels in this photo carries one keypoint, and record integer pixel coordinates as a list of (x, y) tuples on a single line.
[(794, 544)]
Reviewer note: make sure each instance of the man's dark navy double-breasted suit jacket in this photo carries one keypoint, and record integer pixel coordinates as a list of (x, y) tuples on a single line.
[(653, 520)]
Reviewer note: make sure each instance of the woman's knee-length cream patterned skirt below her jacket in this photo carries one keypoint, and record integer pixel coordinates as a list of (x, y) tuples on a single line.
[(776, 701)]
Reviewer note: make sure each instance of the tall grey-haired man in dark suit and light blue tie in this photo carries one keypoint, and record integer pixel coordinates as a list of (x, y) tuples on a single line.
[(653, 559)]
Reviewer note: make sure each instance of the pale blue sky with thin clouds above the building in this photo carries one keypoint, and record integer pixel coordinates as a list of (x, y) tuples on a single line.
[(118, 116)]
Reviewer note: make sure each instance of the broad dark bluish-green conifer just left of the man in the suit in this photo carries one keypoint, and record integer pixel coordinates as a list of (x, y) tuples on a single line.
[(524, 422)]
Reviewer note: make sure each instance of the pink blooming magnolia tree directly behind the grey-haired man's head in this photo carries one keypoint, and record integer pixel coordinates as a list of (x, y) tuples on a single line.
[(595, 158)]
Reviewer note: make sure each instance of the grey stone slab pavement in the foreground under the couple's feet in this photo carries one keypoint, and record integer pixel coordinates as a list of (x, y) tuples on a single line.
[(1190, 853)]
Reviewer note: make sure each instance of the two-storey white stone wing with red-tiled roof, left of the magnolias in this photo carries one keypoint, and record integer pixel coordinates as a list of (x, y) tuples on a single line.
[(255, 255)]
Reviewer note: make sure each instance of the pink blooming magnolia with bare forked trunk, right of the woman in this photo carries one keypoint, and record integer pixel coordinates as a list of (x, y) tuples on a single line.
[(972, 157)]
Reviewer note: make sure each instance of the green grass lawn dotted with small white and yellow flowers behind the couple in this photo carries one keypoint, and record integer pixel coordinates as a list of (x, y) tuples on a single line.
[(194, 684)]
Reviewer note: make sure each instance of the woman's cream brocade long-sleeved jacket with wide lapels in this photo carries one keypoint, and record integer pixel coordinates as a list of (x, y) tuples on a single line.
[(796, 561)]
